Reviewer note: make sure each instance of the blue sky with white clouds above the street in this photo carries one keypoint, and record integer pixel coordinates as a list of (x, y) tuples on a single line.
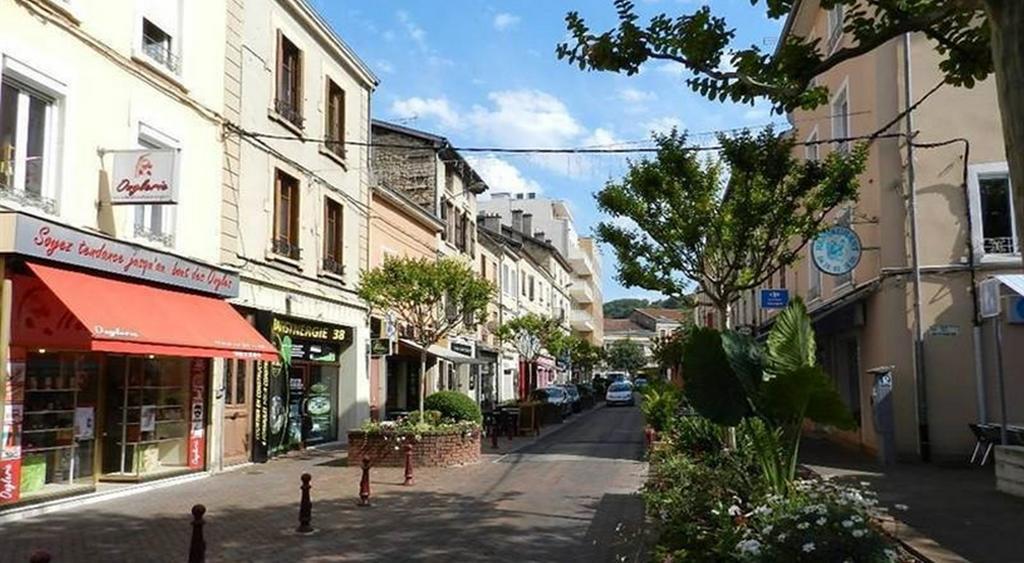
[(485, 74)]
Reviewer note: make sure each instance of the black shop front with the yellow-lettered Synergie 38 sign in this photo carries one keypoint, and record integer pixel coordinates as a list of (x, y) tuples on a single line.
[(298, 399)]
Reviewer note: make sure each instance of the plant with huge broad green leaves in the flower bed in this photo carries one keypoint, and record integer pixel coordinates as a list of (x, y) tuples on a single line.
[(772, 389)]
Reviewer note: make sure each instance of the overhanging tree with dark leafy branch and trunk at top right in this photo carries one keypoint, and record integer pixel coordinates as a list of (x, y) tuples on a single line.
[(975, 38)]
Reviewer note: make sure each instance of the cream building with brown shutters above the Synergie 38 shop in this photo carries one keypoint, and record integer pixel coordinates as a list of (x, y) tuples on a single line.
[(295, 220)]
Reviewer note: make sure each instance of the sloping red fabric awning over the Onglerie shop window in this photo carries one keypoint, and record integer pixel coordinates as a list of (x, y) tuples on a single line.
[(111, 316)]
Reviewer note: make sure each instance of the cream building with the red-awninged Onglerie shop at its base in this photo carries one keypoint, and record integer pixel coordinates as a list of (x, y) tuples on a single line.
[(110, 212)]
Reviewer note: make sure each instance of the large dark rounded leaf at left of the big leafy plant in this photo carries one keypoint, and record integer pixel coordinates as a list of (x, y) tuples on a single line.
[(711, 385)]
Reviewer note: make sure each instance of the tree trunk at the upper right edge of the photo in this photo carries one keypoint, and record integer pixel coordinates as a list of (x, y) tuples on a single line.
[(1006, 19)]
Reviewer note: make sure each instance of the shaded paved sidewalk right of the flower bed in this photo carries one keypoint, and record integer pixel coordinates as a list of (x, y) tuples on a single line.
[(958, 508)]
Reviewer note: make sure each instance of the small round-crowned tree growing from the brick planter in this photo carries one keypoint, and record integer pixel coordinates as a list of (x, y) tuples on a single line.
[(434, 298)]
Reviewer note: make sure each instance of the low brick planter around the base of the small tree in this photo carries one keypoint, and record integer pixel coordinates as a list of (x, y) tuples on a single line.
[(432, 451)]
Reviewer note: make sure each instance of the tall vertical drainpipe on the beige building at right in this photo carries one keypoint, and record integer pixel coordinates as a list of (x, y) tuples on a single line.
[(924, 445)]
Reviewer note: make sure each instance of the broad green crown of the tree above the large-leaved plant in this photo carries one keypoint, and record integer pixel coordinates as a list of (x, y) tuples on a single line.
[(727, 226)]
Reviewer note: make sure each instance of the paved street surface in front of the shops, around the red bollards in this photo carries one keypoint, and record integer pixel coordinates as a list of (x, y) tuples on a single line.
[(568, 497)]
